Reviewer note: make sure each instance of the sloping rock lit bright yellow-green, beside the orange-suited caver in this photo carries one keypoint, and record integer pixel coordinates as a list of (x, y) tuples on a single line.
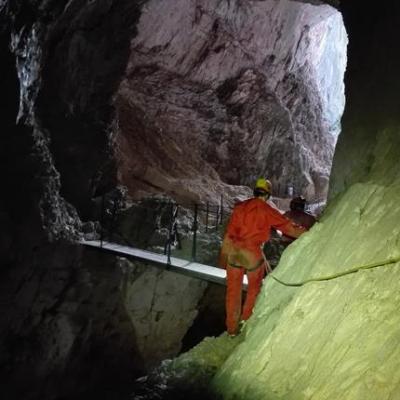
[(334, 339)]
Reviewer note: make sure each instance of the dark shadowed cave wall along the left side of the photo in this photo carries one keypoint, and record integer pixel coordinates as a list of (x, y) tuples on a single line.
[(53, 317)]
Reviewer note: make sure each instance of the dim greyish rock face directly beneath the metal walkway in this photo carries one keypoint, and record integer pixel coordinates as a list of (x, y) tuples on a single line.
[(161, 306)]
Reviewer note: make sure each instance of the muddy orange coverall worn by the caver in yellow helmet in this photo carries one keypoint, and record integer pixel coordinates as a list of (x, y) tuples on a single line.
[(242, 251)]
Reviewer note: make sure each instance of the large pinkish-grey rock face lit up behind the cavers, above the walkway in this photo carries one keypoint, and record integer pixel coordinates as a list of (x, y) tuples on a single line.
[(231, 91)]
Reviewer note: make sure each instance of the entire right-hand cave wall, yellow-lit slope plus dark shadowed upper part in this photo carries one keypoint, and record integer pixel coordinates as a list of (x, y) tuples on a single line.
[(339, 338)]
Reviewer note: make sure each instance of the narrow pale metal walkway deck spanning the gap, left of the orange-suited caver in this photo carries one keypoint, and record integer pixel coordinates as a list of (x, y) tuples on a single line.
[(193, 269)]
